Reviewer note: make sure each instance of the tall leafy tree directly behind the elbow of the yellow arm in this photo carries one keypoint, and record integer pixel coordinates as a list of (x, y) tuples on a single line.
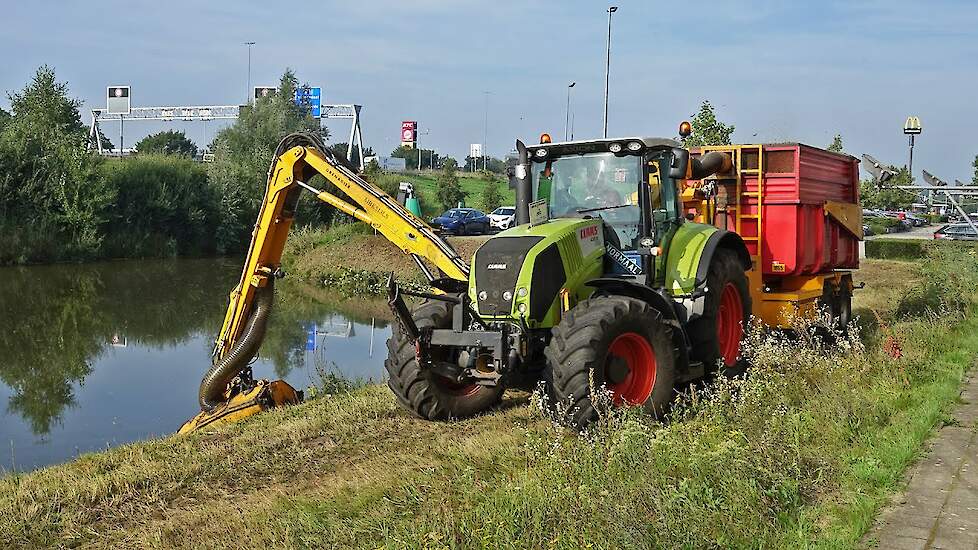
[(243, 152)]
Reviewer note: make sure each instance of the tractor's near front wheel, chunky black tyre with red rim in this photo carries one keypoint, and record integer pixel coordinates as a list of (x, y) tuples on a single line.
[(580, 352)]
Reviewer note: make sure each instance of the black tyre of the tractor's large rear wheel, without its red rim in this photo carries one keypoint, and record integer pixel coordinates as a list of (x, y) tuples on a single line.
[(725, 269)]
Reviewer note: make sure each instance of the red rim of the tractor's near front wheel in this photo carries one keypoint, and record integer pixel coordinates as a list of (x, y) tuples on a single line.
[(635, 387)]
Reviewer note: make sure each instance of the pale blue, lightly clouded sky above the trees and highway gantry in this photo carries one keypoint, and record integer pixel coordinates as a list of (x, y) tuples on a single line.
[(798, 71)]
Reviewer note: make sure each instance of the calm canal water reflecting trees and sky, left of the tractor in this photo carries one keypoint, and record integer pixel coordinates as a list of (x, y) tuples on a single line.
[(97, 355)]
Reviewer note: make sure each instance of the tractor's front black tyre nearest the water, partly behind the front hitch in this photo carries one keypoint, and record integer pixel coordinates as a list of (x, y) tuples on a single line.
[(421, 391)]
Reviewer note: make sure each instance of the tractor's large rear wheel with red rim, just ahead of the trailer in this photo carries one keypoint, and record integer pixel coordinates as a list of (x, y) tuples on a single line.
[(716, 336)]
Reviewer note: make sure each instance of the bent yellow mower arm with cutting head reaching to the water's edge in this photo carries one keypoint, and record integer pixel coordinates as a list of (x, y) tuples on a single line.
[(299, 157)]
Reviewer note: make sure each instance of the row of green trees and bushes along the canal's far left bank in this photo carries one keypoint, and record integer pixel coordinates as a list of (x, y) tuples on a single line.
[(61, 202)]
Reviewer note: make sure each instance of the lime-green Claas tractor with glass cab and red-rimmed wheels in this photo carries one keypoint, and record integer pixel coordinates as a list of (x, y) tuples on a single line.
[(602, 286)]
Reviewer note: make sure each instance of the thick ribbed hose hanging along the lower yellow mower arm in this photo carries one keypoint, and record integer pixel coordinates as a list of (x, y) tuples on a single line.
[(224, 370)]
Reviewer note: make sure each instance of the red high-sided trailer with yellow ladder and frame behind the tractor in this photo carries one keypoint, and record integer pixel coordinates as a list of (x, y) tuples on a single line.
[(797, 209)]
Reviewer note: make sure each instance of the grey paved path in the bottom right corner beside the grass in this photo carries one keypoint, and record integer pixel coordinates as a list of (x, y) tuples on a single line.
[(940, 507)]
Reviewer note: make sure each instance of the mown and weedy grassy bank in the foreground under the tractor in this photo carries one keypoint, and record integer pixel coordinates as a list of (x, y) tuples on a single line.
[(802, 453)]
